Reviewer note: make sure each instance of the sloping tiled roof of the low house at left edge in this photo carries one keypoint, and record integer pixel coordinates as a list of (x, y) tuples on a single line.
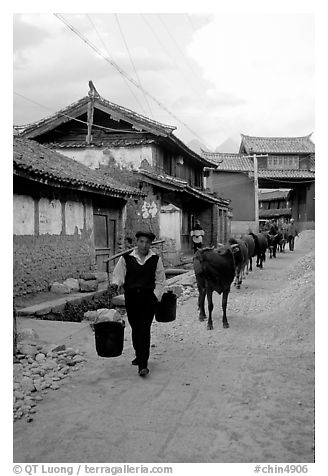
[(42, 163)]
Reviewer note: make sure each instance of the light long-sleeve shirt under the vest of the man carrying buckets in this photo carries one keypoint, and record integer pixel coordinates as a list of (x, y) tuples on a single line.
[(119, 272)]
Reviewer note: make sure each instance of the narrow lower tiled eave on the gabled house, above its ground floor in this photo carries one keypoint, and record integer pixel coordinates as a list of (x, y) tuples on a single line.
[(182, 186)]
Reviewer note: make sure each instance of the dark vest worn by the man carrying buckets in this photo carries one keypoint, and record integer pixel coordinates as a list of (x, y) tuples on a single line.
[(140, 276)]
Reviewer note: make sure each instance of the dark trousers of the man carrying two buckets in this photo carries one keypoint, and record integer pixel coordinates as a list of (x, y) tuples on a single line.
[(140, 308)]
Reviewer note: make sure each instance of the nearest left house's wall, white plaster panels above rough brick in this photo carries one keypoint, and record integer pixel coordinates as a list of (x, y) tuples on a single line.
[(54, 235)]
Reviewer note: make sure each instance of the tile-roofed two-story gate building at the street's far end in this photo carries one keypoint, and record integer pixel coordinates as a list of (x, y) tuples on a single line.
[(283, 162)]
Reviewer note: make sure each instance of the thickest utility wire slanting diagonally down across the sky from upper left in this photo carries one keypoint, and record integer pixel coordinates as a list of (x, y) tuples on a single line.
[(123, 73)]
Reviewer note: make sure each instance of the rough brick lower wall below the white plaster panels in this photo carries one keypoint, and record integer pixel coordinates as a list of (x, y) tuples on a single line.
[(41, 260)]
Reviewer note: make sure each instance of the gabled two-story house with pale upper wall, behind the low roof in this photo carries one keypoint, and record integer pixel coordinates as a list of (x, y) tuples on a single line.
[(99, 133)]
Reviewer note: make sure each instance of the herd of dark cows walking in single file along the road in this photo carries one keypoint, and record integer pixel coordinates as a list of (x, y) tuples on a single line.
[(217, 268)]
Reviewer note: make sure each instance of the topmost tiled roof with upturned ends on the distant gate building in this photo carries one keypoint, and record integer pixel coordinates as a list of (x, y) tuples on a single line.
[(281, 145)]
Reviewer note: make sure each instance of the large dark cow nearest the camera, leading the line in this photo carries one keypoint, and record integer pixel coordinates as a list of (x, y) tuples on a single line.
[(215, 271)]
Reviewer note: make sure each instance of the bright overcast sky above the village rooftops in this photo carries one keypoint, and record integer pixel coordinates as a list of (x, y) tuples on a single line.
[(219, 73)]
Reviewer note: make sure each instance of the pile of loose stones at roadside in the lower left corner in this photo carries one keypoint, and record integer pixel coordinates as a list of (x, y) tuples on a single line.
[(37, 369)]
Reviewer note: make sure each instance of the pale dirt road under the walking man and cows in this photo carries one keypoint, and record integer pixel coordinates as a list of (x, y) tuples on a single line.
[(243, 394)]
